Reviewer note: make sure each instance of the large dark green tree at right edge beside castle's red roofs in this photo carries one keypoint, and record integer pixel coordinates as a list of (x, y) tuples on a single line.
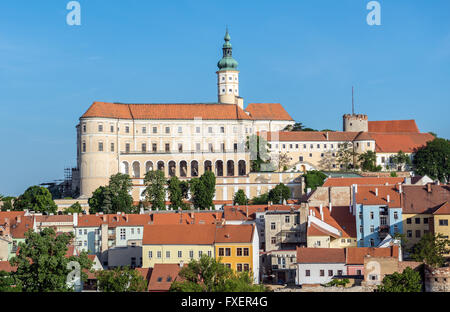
[(433, 160)]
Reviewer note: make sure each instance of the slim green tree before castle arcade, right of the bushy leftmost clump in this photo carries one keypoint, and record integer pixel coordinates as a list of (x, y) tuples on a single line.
[(155, 191)]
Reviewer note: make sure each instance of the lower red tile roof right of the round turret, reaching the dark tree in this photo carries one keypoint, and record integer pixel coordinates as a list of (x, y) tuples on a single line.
[(395, 142)]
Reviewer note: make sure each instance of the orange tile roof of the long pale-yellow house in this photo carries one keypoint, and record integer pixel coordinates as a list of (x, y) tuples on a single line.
[(179, 234)]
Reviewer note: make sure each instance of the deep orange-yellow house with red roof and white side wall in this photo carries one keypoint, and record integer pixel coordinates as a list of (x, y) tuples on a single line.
[(237, 246)]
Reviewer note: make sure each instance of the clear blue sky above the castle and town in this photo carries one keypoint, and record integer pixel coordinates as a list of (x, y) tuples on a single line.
[(305, 54)]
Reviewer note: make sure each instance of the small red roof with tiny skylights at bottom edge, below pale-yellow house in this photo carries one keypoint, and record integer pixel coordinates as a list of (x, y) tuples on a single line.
[(162, 276)]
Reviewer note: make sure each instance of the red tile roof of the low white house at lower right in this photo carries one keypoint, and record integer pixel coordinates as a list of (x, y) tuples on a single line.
[(320, 255)]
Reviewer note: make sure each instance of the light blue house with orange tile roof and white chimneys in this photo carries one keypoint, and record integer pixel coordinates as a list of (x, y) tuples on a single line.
[(378, 212)]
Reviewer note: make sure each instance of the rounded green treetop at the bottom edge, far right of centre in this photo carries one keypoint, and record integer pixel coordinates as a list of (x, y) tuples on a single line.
[(407, 281)]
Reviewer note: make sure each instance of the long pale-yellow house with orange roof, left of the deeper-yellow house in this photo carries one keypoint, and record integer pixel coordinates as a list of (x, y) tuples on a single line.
[(176, 243)]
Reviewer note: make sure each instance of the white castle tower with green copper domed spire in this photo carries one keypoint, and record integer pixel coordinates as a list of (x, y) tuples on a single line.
[(228, 76)]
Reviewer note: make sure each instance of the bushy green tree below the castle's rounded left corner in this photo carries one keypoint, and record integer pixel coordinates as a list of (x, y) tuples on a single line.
[(113, 198)]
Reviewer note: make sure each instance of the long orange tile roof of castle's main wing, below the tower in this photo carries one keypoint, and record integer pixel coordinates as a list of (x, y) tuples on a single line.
[(211, 111)]
